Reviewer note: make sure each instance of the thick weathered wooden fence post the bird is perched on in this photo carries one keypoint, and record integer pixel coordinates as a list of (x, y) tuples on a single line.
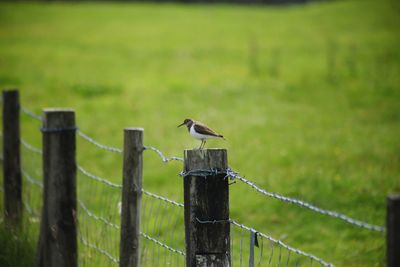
[(206, 199)]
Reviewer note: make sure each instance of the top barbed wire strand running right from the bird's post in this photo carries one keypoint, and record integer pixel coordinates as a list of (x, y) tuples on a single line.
[(334, 214)]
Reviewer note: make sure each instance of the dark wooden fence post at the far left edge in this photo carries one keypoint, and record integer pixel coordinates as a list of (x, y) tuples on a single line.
[(11, 154)]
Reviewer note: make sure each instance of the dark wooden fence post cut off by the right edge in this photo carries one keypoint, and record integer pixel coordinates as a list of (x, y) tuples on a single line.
[(393, 231)]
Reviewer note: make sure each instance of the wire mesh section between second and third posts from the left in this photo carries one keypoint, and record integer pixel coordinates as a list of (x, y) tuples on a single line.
[(98, 220)]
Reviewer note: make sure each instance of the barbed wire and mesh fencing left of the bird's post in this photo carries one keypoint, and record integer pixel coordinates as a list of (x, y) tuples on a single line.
[(99, 200)]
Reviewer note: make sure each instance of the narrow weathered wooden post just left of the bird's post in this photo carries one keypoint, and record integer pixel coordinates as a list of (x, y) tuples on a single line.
[(131, 197)]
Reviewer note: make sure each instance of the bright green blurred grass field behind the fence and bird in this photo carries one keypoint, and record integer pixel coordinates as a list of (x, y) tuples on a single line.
[(307, 97)]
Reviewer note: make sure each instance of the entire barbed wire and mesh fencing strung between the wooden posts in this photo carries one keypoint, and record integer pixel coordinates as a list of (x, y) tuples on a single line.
[(162, 219)]
